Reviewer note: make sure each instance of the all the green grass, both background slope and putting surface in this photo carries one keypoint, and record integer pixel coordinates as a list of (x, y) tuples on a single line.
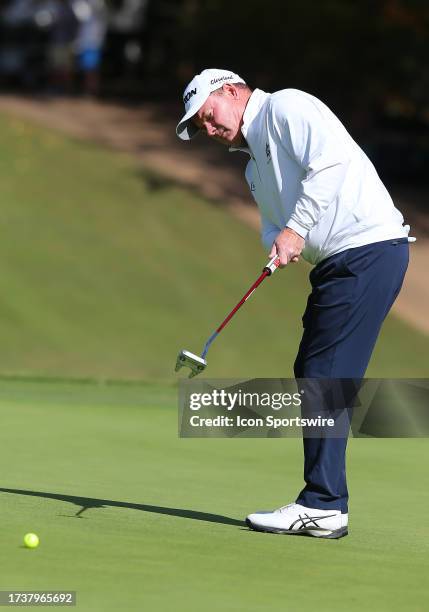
[(106, 273)]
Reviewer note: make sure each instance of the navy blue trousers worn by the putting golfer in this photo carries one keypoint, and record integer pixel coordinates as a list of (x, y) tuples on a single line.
[(352, 292)]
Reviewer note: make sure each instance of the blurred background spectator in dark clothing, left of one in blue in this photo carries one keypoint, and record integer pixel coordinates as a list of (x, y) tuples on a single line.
[(61, 49)]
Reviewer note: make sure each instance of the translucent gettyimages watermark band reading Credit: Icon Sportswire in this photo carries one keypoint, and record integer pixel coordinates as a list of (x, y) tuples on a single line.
[(304, 407)]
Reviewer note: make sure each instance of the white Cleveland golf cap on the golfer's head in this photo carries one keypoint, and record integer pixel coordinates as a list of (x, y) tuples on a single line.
[(197, 92)]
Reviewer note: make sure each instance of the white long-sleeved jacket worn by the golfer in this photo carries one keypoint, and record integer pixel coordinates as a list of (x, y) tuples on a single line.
[(307, 173)]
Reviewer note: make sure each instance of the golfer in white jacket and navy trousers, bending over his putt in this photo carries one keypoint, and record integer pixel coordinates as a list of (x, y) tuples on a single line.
[(319, 197)]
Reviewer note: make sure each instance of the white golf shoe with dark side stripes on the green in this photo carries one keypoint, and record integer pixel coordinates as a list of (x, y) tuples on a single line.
[(295, 519)]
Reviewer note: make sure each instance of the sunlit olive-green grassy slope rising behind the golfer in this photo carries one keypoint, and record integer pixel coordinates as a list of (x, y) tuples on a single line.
[(105, 272)]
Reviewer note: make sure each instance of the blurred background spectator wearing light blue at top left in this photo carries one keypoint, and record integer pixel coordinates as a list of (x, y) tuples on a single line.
[(93, 17)]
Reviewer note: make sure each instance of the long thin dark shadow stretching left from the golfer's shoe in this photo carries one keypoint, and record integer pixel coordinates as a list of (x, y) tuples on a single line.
[(86, 503)]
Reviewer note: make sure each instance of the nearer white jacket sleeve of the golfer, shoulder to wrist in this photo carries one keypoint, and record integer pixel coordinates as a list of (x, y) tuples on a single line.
[(297, 125)]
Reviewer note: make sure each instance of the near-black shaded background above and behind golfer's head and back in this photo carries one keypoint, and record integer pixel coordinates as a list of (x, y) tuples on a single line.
[(367, 59)]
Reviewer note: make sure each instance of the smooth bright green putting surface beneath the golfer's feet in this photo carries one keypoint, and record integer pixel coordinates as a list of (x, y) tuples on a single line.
[(133, 518)]
